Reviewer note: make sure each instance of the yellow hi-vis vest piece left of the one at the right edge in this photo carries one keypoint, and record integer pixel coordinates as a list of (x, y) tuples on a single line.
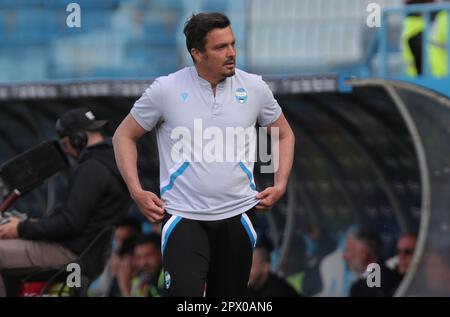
[(412, 25)]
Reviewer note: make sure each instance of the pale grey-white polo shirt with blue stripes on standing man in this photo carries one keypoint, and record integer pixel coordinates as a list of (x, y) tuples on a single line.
[(206, 143)]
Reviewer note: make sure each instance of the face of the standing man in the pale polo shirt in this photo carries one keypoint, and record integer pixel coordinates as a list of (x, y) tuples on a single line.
[(219, 57)]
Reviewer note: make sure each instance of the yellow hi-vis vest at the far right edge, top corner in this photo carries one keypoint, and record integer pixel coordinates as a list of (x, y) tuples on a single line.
[(437, 47)]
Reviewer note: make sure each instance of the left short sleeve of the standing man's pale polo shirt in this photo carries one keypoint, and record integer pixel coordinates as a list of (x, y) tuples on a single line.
[(147, 109)]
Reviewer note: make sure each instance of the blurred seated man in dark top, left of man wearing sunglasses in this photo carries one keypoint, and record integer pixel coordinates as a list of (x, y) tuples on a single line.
[(362, 248)]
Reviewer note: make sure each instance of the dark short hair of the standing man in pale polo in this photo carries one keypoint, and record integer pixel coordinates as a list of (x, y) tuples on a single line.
[(199, 25)]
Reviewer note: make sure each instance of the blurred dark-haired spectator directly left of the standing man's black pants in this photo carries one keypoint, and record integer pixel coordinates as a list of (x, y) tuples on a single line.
[(143, 276)]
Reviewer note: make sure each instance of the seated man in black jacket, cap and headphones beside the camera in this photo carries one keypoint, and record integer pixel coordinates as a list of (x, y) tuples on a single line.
[(96, 198)]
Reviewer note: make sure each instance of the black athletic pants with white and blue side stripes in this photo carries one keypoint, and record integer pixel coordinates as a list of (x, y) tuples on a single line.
[(211, 256)]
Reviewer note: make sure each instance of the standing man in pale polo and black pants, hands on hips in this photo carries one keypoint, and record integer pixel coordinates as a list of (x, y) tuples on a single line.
[(206, 207)]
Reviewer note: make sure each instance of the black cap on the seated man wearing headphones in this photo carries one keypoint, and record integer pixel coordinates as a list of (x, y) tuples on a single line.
[(78, 120)]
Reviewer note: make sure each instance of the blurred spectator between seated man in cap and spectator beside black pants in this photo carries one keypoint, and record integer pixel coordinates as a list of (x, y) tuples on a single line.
[(128, 228)]
